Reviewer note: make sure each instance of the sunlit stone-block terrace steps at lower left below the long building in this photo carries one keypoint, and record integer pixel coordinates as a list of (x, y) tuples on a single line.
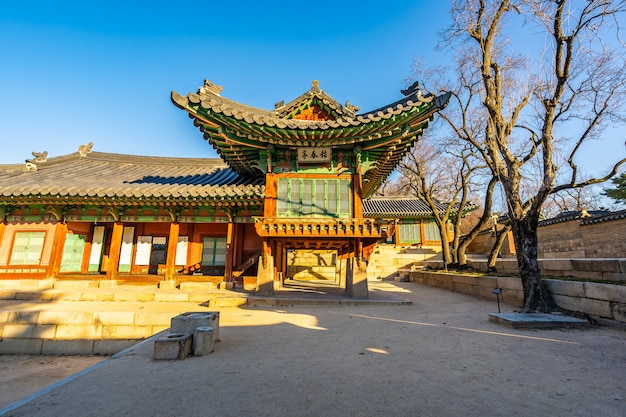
[(55, 317)]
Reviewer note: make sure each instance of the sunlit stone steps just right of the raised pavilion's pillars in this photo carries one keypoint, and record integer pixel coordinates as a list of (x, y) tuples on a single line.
[(395, 262)]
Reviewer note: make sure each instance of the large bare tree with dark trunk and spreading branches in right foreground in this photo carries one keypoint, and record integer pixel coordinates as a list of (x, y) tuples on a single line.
[(539, 112)]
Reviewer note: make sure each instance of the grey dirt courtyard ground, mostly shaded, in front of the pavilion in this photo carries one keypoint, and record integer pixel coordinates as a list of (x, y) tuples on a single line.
[(439, 356)]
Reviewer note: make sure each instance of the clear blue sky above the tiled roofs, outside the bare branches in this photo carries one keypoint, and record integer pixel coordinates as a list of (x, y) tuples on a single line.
[(73, 72)]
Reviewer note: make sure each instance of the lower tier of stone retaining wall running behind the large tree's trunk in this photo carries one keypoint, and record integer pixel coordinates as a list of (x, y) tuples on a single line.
[(595, 299)]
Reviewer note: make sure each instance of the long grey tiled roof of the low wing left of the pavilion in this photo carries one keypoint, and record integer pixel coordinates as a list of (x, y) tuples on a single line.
[(99, 175)]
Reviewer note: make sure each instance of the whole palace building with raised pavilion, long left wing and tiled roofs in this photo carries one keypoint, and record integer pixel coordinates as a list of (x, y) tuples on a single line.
[(293, 182)]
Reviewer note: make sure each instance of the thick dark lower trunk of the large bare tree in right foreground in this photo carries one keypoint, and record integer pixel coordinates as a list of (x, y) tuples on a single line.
[(536, 296)]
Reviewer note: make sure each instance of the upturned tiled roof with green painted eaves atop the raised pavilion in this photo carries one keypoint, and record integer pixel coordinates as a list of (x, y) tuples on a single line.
[(239, 132)]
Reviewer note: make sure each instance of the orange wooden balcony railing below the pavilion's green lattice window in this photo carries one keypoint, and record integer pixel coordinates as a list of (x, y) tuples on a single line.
[(326, 227)]
